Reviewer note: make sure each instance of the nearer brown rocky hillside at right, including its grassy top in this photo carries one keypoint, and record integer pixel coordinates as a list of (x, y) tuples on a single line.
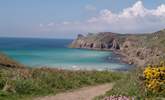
[(144, 49)]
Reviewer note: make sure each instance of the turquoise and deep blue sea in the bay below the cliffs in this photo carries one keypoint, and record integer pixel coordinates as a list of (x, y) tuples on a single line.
[(54, 53)]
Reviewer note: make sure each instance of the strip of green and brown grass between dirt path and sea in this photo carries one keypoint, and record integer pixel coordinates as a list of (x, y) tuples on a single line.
[(24, 83)]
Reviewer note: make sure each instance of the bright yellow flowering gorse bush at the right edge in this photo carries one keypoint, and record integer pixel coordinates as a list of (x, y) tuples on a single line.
[(155, 77)]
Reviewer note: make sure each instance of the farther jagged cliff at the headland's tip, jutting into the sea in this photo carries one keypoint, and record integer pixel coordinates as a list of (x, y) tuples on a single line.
[(100, 41)]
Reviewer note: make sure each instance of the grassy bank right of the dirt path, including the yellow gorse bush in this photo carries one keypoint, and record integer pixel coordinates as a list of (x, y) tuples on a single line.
[(141, 83)]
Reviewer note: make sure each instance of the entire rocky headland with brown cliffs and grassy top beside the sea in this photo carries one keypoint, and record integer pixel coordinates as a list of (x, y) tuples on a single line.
[(137, 49)]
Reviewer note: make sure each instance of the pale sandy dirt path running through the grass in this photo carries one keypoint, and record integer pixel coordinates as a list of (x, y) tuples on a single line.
[(87, 93)]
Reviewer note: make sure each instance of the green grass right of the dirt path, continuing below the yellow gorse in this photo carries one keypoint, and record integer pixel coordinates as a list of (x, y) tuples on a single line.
[(132, 85)]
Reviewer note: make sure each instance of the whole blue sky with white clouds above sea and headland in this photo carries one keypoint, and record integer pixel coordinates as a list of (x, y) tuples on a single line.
[(67, 18)]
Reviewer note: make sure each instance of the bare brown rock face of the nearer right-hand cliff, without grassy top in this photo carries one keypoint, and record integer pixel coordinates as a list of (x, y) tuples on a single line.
[(139, 53)]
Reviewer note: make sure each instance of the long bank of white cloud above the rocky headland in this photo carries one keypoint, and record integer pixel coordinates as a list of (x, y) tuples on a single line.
[(132, 19)]
